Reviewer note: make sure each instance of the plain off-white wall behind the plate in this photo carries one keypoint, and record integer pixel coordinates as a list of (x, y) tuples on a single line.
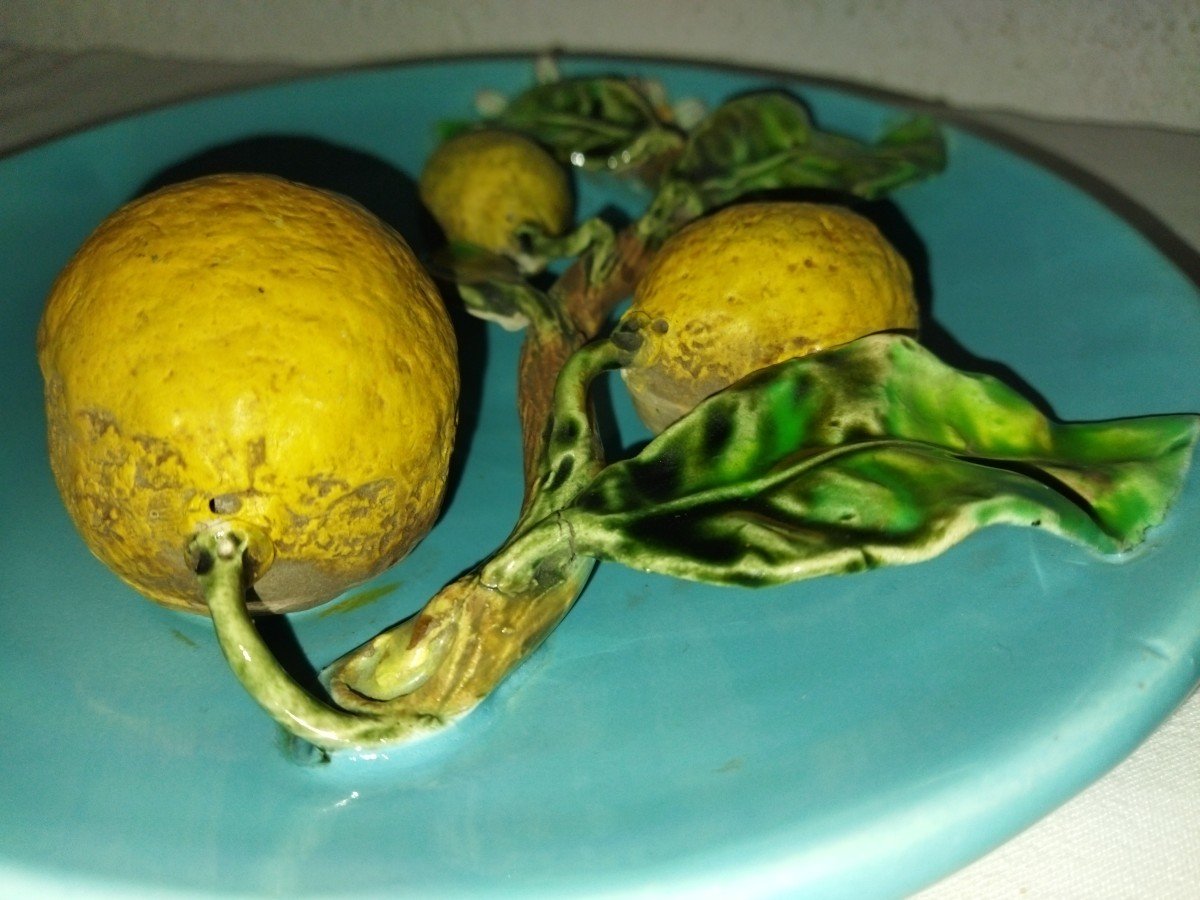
[(1135, 62)]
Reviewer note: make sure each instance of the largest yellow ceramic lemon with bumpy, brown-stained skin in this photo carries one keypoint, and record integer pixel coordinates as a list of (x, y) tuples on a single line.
[(247, 350)]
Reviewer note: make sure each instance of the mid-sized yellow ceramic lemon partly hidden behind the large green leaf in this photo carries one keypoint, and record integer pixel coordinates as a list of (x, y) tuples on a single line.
[(754, 285)]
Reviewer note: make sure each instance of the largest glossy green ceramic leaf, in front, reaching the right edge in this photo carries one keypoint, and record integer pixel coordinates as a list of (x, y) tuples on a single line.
[(871, 454)]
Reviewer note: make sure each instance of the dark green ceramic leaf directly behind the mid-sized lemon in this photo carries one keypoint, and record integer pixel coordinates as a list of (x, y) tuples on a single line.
[(766, 141)]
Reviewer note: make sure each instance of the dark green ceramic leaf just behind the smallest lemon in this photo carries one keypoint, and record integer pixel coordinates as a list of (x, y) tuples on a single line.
[(592, 123)]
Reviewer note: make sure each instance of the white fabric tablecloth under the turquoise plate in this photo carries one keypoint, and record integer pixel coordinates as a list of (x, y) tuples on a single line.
[(1135, 835)]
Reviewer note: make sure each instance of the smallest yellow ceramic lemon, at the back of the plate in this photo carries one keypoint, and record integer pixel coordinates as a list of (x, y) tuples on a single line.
[(483, 185)]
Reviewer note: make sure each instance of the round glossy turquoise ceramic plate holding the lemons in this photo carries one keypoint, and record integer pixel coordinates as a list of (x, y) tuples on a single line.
[(861, 735)]
